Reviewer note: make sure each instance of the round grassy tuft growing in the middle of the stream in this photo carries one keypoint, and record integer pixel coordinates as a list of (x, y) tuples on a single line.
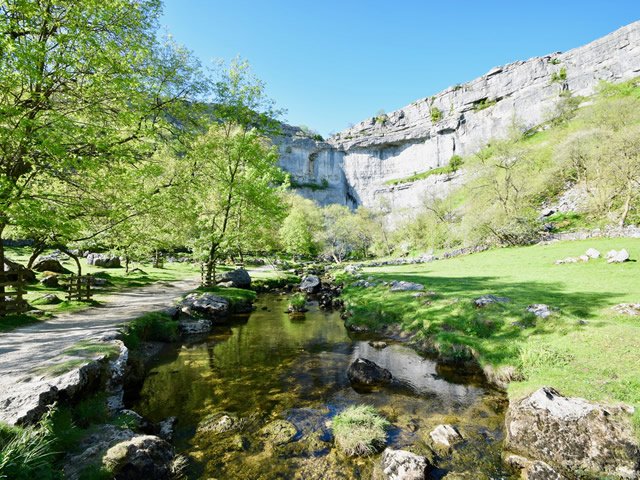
[(360, 431)]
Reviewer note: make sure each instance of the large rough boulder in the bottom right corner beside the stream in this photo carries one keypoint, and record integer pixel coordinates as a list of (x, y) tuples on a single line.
[(572, 434)]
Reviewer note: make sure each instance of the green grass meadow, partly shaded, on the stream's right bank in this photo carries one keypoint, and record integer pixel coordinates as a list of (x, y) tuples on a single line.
[(599, 360)]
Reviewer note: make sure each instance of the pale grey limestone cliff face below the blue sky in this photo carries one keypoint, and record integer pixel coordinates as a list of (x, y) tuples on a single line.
[(355, 164)]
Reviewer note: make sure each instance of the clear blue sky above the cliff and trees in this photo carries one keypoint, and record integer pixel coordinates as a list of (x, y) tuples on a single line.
[(333, 63)]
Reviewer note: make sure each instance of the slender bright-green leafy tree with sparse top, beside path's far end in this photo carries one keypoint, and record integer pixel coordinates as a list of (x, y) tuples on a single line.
[(232, 170)]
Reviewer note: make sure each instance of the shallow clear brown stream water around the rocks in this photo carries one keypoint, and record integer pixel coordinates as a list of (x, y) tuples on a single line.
[(269, 365)]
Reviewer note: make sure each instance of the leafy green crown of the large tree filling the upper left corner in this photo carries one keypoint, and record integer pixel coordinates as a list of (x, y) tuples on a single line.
[(83, 85)]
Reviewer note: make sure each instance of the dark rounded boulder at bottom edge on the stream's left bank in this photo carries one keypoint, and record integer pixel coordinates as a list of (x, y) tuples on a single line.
[(143, 456)]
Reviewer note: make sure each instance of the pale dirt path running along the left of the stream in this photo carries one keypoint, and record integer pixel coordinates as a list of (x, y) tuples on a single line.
[(26, 349)]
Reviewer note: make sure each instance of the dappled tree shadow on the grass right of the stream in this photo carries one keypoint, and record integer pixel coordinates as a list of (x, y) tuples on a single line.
[(446, 316)]
